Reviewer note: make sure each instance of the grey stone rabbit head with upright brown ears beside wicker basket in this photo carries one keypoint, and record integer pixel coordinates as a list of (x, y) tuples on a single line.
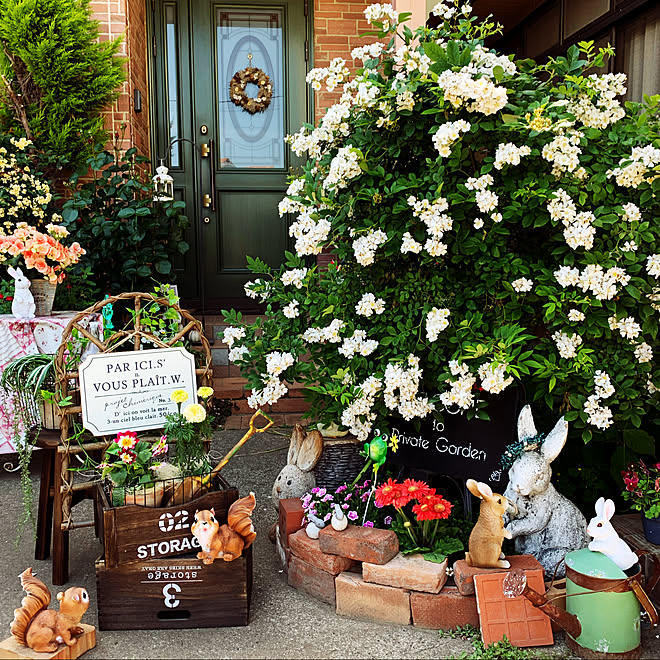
[(297, 477)]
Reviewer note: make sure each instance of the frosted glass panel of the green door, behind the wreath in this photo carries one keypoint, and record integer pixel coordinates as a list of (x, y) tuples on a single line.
[(250, 37)]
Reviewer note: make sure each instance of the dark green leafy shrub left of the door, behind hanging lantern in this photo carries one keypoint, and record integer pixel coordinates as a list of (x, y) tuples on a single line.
[(131, 240)]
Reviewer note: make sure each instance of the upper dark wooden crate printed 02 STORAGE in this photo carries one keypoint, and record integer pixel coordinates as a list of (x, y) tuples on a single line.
[(134, 533)]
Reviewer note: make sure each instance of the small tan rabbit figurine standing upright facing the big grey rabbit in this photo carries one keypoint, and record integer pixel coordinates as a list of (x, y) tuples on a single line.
[(485, 543)]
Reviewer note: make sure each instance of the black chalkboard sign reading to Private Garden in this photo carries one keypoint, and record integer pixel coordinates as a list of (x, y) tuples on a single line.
[(458, 447)]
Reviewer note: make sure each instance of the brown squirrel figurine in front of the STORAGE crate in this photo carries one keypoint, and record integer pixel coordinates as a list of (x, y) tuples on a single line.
[(226, 541)]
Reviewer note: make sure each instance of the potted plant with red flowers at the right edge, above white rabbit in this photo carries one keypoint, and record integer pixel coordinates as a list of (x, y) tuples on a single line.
[(642, 492)]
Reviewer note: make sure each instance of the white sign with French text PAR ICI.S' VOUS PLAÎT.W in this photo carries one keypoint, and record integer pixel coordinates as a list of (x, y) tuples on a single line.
[(131, 391)]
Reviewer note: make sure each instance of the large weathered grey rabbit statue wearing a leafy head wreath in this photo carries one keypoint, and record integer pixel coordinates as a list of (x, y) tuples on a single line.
[(546, 524)]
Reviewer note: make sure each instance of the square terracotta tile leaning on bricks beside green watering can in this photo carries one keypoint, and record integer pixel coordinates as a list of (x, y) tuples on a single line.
[(517, 618)]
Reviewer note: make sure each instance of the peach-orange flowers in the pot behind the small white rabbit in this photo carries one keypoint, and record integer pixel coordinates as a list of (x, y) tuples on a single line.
[(43, 252)]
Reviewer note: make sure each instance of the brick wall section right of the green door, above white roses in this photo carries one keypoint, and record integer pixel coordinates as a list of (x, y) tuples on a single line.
[(337, 24)]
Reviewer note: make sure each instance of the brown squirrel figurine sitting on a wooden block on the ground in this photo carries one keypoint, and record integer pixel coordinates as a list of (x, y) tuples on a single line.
[(41, 629)]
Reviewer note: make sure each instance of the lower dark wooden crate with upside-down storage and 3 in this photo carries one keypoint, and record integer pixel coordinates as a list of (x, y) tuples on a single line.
[(178, 592)]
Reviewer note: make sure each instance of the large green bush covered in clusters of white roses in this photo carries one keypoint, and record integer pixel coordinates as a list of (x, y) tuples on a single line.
[(493, 225)]
